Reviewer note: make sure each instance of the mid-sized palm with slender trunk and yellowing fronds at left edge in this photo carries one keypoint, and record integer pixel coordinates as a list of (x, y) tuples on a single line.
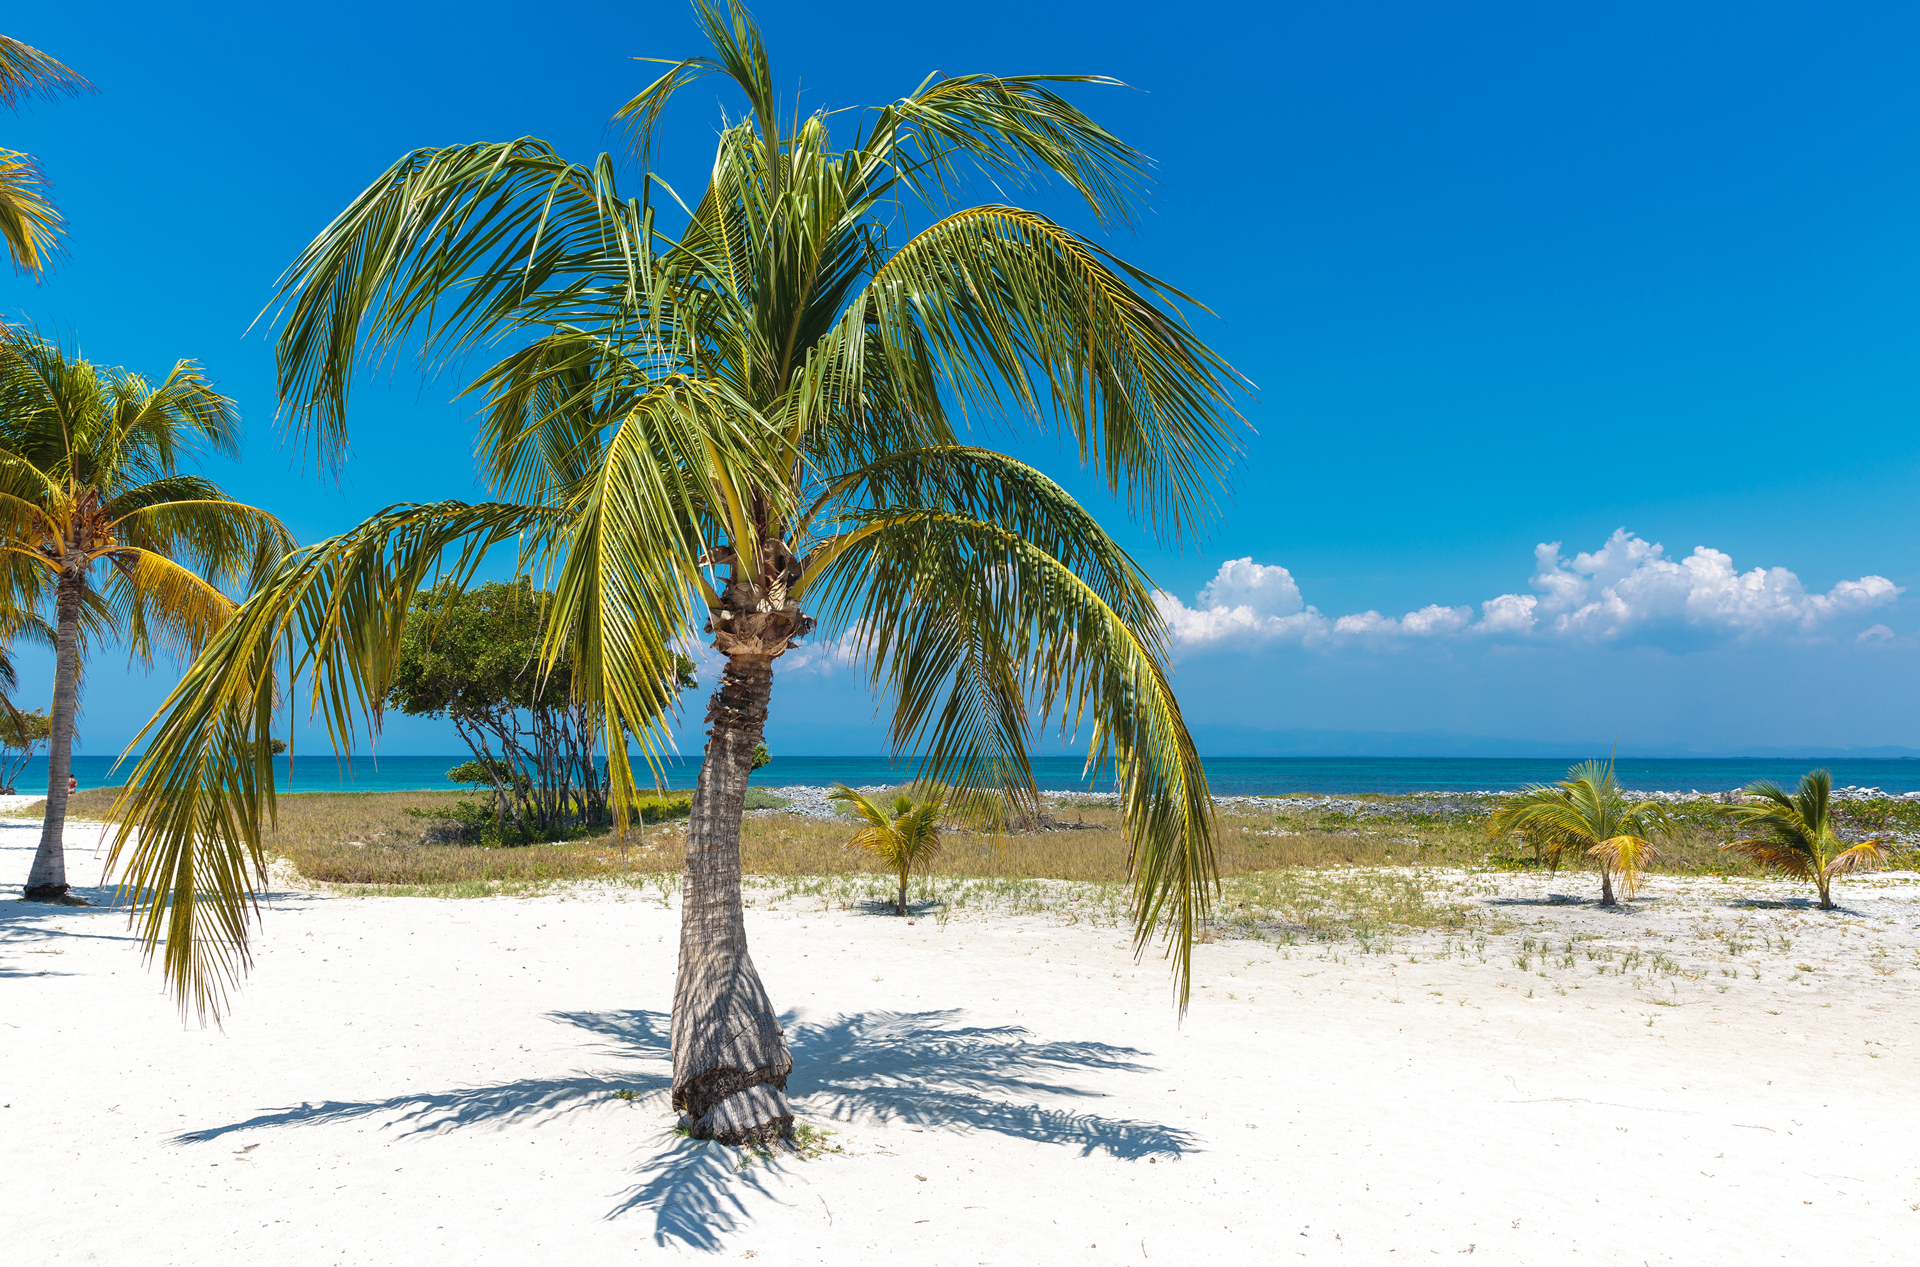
[(99, 525)]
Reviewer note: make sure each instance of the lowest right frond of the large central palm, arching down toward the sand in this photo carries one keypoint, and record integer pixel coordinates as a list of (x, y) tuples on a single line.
[(974, 629)]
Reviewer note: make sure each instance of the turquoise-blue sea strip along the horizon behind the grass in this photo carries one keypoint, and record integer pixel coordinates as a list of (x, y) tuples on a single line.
[(1232, 777)]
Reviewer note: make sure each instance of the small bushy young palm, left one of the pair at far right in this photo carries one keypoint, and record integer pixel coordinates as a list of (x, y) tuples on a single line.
[(1589, 811)]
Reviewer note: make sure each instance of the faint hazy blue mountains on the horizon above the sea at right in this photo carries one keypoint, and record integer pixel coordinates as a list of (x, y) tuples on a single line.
[(1253, 742)]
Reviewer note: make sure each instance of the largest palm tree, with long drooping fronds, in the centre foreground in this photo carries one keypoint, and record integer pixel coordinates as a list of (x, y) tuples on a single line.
[(746, 431)]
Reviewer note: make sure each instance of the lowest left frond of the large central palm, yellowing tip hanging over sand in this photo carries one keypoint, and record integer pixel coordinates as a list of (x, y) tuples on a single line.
[(201, 796)]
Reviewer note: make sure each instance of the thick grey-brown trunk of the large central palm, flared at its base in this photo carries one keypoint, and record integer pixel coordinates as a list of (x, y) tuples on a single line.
[(731, 1053)]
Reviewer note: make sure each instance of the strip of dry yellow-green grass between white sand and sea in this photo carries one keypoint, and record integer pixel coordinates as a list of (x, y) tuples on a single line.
[(1293, 869)]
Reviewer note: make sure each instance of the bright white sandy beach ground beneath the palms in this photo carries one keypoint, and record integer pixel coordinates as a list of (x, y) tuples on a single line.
[(433, 1082)]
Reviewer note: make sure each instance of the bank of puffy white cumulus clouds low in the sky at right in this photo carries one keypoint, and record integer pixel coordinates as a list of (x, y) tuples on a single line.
[(1627, 590)]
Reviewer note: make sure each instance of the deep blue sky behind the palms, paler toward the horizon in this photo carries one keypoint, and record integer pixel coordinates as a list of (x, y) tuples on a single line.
[(1504, 274)]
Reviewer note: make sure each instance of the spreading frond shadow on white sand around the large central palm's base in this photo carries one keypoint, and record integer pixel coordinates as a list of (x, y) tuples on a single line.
[(923, 1068)]
